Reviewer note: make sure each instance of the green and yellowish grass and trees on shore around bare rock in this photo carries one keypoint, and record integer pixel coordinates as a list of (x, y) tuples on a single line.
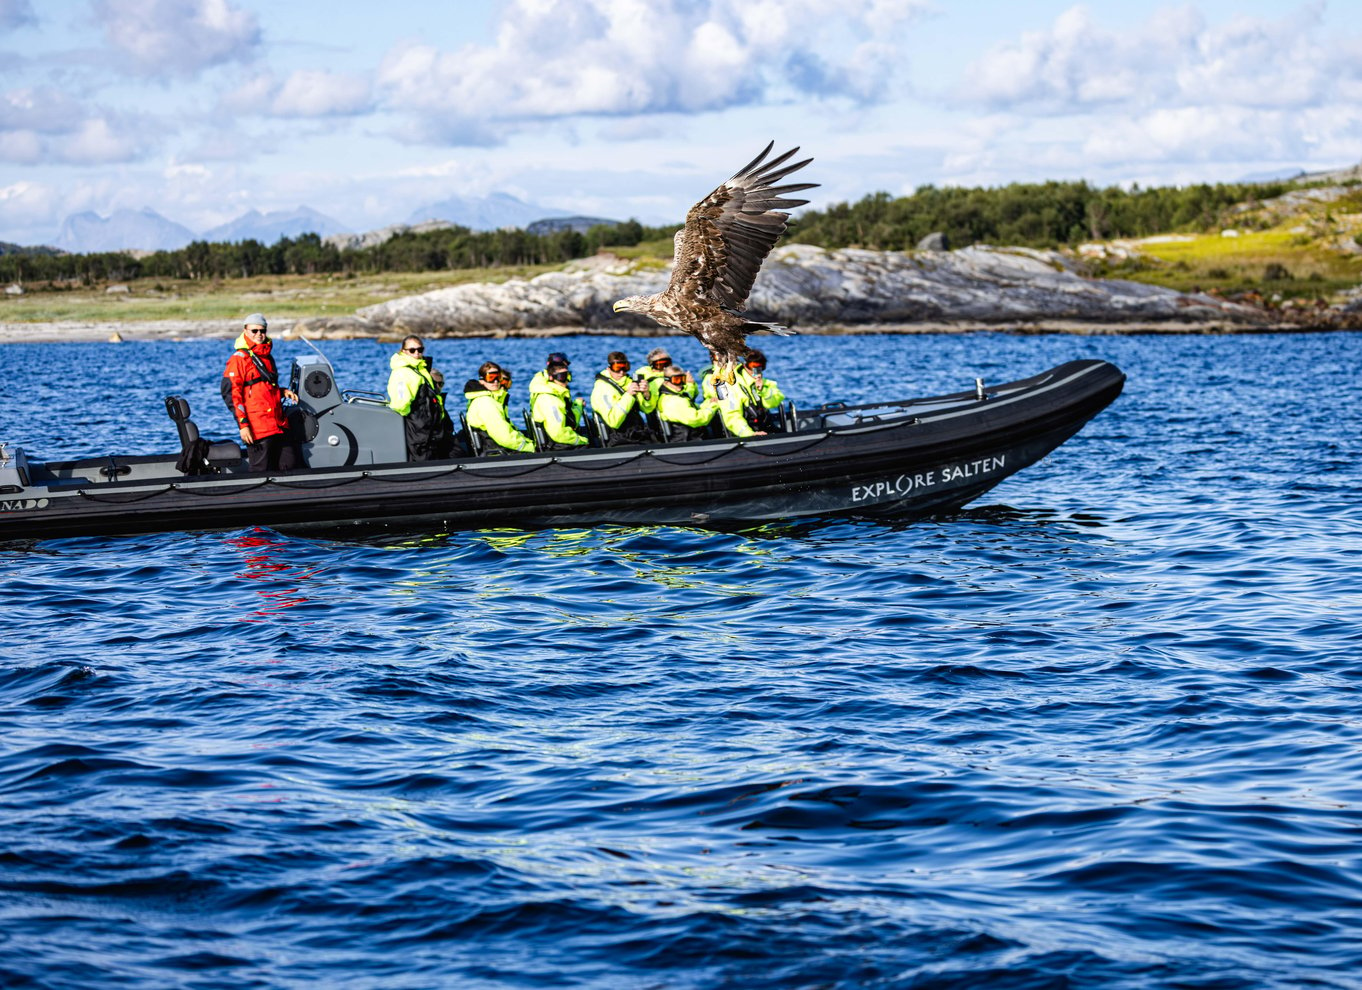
[(1290, 253)]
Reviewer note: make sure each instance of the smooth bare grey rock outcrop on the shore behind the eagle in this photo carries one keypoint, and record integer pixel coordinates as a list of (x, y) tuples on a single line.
[(806, 287)]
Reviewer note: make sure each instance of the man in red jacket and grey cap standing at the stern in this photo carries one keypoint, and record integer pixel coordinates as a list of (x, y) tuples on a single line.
[(258, 401)]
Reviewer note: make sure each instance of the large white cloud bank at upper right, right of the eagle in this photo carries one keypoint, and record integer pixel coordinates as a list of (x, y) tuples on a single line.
[(1169, 97)]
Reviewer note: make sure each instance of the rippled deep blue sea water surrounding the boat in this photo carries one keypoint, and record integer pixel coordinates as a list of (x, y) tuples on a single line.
[(1100, 731)]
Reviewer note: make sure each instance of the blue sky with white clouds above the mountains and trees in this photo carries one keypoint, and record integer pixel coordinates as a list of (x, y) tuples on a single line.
[(204, 110)]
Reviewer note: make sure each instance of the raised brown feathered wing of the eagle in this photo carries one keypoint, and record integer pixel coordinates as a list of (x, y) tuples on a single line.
[(729, 234)]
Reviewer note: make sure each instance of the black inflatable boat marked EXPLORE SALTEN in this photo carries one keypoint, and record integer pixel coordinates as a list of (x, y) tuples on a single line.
[(908, 458)]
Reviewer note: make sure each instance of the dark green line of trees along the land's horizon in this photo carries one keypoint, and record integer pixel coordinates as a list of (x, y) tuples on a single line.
[(1024, 214)]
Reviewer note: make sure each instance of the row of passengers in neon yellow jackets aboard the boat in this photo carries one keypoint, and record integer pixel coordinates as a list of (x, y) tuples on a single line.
[(661, 404)]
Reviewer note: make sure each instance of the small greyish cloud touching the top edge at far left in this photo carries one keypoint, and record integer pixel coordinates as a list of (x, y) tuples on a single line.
[(178, 37)]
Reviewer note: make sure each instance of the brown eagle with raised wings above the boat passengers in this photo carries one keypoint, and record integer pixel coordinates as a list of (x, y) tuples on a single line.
[(718, 253)]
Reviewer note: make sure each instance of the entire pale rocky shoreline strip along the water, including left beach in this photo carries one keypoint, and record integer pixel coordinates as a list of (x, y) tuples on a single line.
[(810, 289)]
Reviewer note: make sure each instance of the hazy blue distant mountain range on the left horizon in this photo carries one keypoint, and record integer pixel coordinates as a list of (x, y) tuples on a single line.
[(148, 231)]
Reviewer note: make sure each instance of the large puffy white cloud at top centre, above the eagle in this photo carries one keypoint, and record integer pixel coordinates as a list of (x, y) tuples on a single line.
[(556, 59)]
